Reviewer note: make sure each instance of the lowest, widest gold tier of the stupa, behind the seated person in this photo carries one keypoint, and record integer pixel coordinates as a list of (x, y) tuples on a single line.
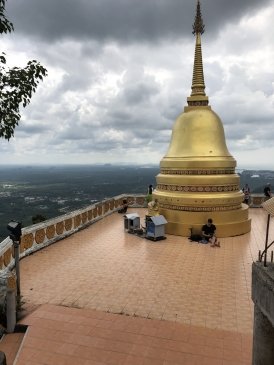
[(228, 223)]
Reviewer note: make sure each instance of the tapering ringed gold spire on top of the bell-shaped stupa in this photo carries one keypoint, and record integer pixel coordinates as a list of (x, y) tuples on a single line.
[(198, 96)]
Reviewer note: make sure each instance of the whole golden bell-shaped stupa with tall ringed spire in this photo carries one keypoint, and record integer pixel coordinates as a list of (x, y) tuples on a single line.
[(197, 177)]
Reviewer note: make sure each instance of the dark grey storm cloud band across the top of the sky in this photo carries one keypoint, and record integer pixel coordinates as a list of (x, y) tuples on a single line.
[(121, 20)]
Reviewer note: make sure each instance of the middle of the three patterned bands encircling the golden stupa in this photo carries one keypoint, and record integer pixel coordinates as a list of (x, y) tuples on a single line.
[(199, 189)]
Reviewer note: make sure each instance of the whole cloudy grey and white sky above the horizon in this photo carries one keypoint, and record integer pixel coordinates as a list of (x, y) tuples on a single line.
[(119, 73)]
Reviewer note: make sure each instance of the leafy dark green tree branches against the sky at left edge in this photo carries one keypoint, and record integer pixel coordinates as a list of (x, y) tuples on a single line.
[(16, 84)]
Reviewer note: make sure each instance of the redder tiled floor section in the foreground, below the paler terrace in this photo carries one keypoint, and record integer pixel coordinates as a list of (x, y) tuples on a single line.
[(70, 336)]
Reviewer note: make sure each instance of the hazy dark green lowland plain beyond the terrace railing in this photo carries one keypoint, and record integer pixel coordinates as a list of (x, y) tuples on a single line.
[(28, 191)]
